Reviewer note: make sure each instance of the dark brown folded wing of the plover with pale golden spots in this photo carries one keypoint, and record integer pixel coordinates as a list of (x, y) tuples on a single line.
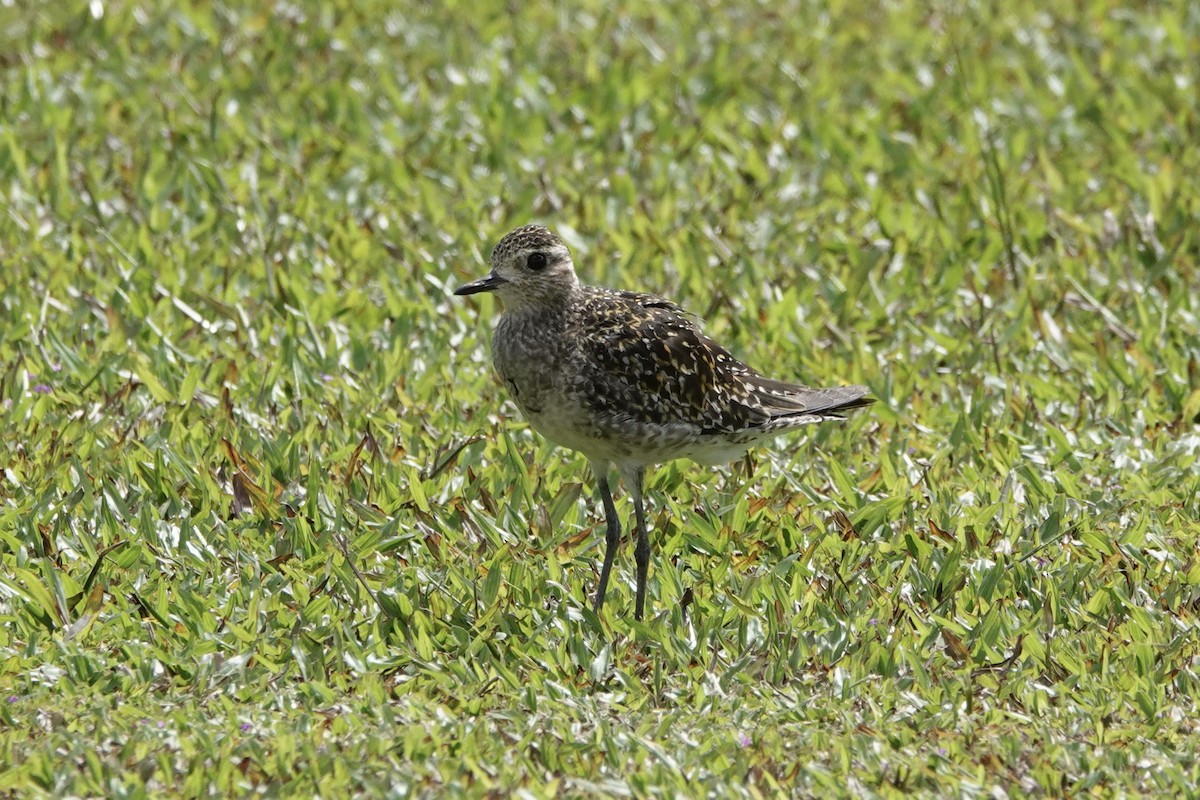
[(650, 363)]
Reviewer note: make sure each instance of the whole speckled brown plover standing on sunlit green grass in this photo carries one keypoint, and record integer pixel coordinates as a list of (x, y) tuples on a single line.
[(629, 381)]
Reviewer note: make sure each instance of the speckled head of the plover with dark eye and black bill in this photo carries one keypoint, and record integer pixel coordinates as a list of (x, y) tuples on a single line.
[(531, 267)]
